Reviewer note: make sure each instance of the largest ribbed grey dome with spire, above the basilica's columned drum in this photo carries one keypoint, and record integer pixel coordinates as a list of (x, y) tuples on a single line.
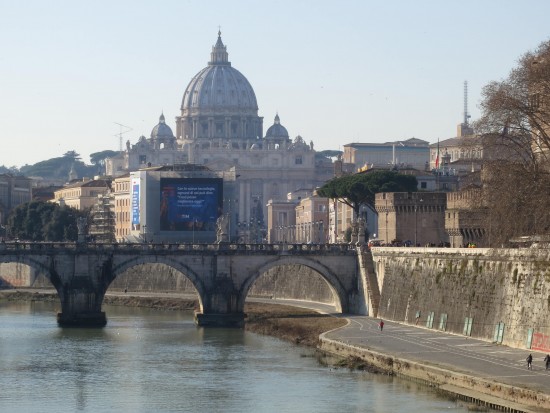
[(219, 87)]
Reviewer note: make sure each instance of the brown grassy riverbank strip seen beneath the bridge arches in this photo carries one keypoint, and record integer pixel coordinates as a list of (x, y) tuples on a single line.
[(297, 325)]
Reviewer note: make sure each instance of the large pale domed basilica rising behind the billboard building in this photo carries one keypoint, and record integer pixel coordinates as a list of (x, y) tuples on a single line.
[(219, 128)]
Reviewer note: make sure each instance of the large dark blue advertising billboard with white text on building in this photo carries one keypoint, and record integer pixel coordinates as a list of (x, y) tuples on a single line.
[(190, 204)]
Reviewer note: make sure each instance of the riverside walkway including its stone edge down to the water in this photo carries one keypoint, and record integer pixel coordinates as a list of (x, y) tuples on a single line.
[(475, 368)]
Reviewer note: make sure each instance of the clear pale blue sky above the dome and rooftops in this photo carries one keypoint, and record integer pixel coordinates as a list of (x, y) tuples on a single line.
[(337, 72)]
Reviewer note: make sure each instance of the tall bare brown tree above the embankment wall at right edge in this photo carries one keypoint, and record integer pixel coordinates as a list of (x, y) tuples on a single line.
[(515, 126)]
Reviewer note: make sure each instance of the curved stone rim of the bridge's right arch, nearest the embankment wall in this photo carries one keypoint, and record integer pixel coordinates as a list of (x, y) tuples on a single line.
[(338, 290)]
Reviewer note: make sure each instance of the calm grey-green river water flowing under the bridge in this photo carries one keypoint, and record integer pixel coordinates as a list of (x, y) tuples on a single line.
[(159, 361)]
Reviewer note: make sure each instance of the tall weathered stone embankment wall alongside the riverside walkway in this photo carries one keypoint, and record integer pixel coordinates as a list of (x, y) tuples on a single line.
[(510, 287)]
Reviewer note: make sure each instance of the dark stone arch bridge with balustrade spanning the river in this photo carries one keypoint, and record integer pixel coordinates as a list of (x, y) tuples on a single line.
[(221, 273)]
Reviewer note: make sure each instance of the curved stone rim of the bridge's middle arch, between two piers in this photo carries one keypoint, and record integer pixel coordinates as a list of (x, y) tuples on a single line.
[(179, 266)]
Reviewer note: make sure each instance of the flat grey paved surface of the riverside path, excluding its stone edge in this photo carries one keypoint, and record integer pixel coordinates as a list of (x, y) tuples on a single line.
[(453, 352)]
